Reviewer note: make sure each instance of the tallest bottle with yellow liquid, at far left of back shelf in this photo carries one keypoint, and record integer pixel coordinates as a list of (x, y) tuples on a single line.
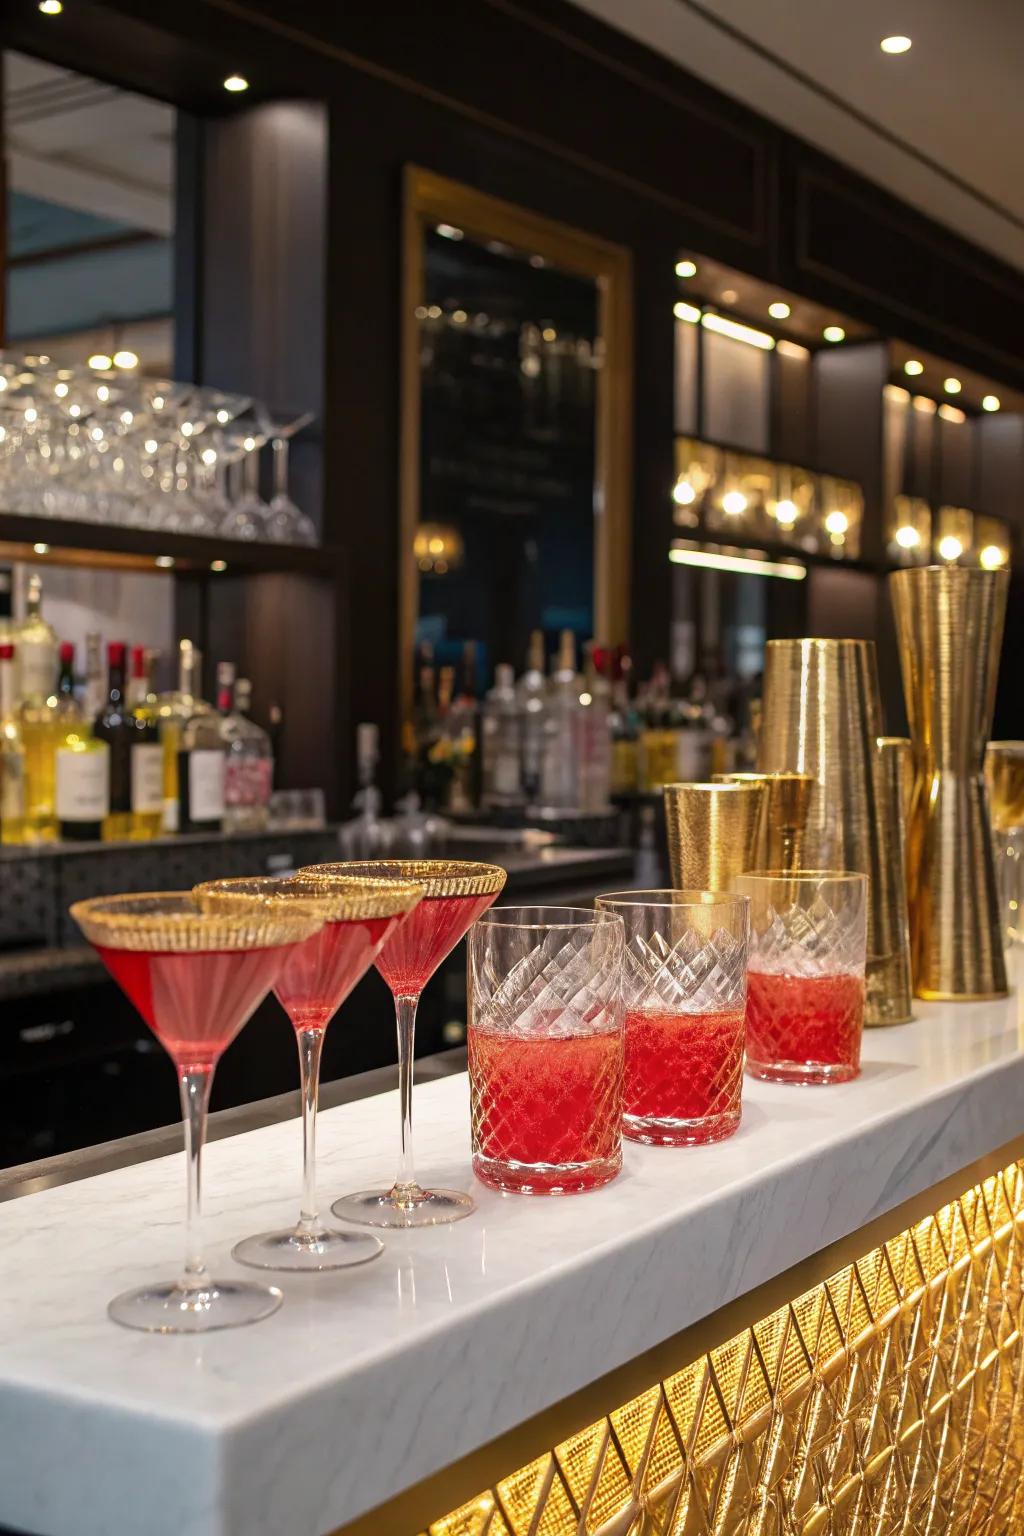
[(36, 657)]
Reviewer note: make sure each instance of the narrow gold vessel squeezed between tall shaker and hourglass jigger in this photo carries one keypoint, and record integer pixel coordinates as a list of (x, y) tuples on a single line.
[(896, 784)]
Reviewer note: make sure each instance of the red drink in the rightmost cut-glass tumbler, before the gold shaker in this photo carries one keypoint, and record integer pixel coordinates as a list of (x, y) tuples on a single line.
[(804, 1028)]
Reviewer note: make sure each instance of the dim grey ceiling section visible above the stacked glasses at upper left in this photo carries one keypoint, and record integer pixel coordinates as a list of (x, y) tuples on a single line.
[(87, 148)]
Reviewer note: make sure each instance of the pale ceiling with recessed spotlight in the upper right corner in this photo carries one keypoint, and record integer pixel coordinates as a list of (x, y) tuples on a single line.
[(940, 127)]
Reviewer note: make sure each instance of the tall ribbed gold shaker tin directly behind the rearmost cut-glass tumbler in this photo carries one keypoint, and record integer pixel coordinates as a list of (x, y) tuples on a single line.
[(824, 717)]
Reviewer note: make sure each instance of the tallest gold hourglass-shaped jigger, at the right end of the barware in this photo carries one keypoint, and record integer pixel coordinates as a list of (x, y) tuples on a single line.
[(950, 629)]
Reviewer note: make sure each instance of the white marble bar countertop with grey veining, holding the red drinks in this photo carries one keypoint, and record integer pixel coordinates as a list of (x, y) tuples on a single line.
[(372, 1379)]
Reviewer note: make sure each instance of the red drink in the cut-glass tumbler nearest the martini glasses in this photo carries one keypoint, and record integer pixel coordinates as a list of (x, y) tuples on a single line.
[(547, 1110)]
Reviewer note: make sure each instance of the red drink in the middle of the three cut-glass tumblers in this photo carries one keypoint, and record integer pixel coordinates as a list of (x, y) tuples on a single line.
[(684, 1078)]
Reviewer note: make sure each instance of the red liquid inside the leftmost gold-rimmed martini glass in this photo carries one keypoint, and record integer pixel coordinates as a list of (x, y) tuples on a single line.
[(196, 1001)]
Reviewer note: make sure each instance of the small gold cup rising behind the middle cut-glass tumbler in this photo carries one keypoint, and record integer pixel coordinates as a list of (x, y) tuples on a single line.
[(713, 833)]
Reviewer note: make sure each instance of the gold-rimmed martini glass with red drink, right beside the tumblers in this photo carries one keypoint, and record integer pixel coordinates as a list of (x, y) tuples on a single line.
[(457, 893)]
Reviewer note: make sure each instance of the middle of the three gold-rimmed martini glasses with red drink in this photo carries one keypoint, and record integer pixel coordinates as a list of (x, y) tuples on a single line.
[(360, 916)]
